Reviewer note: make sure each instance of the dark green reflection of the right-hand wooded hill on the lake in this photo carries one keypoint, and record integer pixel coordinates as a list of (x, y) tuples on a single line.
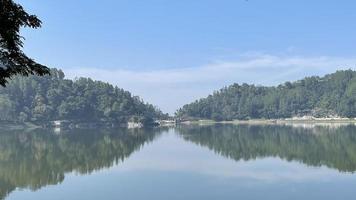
[(334, 147)]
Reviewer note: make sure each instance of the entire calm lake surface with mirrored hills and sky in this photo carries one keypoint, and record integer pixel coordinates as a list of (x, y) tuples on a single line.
[(206, 162)]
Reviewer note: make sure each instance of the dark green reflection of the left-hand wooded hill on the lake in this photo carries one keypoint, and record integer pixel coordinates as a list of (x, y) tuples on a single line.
[(39, 158)]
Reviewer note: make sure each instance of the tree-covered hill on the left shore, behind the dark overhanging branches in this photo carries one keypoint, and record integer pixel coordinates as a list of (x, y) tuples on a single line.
[(52, 97)]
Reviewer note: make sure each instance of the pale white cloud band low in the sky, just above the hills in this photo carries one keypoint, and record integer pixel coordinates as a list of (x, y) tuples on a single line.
[(171, 88)]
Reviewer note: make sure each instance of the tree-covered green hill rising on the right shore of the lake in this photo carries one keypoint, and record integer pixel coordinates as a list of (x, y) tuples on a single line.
[(331, 95)]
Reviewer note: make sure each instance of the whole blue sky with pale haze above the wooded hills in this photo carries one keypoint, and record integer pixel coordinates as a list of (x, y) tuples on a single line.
[(171, 52)]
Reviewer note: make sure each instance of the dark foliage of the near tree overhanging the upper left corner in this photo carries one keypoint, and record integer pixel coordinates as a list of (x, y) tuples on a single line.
[(12, 59)]
